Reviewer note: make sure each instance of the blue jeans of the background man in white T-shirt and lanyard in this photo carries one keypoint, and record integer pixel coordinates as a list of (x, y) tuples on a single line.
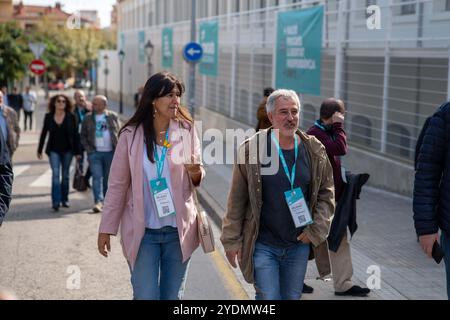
[(100, 164)]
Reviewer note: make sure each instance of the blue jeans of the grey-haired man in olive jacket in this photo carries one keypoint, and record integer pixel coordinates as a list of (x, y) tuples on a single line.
[(279, 272)]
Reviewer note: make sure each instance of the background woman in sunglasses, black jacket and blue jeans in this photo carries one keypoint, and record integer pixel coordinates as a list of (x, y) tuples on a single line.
[(63, 143)]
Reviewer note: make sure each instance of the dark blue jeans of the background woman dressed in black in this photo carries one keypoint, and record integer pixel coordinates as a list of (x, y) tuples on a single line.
[(60, 162)]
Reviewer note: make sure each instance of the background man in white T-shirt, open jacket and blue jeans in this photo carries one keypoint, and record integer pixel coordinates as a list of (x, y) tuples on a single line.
[(99, 135)]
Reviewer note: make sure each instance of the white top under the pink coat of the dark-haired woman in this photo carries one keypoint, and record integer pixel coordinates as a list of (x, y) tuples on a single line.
[(152, 221)]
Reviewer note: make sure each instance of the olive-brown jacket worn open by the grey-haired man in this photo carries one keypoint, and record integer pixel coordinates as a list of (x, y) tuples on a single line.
[(240, 225)]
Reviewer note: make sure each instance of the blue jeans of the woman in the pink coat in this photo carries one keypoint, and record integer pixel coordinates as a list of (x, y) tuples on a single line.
[(159, 272)]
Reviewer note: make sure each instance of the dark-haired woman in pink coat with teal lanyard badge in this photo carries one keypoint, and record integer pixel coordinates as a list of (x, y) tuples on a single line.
[(155, 168)]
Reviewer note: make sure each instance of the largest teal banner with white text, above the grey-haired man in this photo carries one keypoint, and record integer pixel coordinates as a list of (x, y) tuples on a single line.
[(299, 50)]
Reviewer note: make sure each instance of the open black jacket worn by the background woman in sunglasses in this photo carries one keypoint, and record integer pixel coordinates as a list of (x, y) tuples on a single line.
[(74, 137)]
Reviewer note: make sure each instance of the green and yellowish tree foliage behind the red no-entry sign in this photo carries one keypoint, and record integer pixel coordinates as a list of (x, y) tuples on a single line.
[(67, 50)]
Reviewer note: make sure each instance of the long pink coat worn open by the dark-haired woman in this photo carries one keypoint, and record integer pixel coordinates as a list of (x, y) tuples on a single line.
[(124, 201)]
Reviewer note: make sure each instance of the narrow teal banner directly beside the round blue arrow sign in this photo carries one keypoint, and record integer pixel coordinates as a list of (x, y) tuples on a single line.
[(209, 40)]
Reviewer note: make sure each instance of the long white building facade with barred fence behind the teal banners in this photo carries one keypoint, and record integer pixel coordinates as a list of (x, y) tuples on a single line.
[(391, 76)]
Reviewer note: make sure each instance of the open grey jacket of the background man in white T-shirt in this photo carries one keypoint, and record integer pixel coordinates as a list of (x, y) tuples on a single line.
[(88, 130)]
